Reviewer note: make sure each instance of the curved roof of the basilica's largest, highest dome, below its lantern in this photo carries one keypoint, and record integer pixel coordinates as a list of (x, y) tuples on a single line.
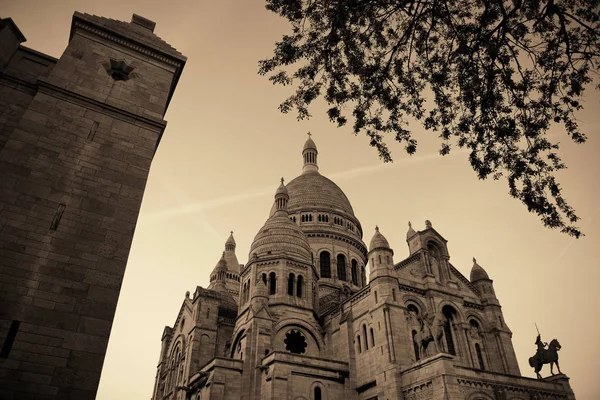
[(311, 190)]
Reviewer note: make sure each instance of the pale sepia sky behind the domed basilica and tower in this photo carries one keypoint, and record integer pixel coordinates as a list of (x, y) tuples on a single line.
[(226, 147)]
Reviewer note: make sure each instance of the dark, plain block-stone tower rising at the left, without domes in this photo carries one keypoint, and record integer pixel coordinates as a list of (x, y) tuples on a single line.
[(77, 138)]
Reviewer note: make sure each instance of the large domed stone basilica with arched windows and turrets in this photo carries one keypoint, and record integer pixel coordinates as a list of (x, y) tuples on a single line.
[(307, 324)]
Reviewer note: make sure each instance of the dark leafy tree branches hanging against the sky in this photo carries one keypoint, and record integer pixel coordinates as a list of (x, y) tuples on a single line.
[(491, 76)]
